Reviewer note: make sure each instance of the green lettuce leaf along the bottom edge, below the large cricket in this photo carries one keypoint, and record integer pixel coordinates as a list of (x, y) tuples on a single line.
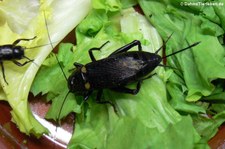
[(127, 132)]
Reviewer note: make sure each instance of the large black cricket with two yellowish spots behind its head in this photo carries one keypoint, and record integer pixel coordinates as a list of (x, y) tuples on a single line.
[(119, 69)]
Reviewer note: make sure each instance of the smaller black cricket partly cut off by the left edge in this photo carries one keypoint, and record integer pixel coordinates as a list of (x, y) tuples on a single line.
[(13, 52)]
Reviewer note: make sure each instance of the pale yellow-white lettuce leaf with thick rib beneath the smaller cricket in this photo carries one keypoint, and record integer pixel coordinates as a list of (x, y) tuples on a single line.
[(21, 22)]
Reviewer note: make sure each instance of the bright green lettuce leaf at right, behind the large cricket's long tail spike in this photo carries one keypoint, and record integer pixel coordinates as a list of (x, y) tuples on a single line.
[(195, 64)]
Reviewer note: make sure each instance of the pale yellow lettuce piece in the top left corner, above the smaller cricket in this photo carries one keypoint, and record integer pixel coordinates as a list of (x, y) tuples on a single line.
[(18, 16)]
